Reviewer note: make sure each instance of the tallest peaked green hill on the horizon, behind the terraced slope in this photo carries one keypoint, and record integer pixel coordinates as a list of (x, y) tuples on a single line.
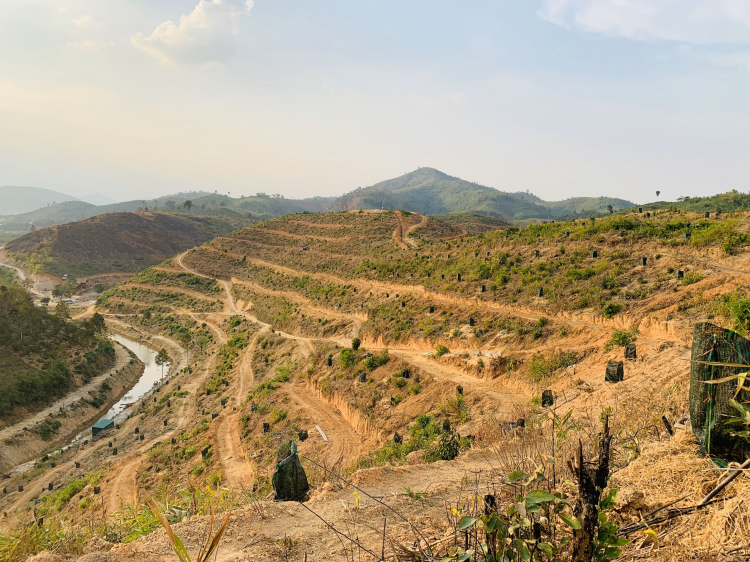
[(432, 192)]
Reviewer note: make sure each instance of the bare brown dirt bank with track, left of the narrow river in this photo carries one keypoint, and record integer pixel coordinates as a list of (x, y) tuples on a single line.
[(20, 443)]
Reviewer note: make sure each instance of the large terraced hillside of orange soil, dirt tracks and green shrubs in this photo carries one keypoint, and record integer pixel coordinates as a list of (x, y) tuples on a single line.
[(401, 352)]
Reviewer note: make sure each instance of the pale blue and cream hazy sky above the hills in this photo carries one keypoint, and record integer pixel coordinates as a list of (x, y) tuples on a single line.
[(564, 98)]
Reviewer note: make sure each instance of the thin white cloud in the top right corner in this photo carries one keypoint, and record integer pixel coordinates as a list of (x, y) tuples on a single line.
[(699, 22)]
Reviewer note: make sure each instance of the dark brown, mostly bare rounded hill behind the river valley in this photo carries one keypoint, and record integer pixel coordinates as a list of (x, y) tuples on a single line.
[(115, 242)]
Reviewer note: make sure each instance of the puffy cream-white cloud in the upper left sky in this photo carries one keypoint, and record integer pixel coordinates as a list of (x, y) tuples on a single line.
[(206, 35)]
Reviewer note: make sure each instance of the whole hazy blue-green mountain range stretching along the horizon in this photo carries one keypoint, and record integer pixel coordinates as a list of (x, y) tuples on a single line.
[(425, 190)]
